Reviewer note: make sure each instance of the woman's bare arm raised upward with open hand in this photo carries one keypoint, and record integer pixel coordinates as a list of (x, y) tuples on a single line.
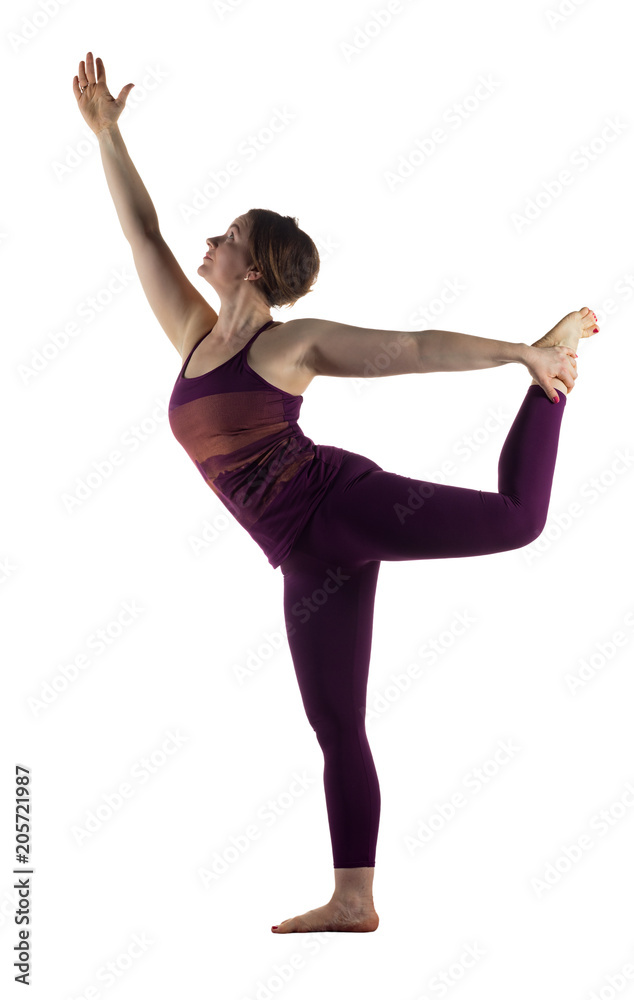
[(178, 306)]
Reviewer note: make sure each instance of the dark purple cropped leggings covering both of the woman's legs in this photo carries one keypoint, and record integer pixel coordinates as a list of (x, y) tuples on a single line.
[(330, 582)]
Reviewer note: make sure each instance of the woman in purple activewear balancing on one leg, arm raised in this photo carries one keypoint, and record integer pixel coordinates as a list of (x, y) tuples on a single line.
[(326, 516)]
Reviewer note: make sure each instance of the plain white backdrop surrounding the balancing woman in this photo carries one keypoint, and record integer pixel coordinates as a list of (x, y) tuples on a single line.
[(362, 93)]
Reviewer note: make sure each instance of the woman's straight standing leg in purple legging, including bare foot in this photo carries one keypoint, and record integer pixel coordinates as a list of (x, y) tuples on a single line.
[(329, 610)]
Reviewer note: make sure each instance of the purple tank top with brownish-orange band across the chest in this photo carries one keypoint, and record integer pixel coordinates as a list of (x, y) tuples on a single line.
[(242, 434)]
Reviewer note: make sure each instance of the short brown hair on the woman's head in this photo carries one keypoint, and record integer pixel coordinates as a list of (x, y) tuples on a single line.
[(284, 253)]
